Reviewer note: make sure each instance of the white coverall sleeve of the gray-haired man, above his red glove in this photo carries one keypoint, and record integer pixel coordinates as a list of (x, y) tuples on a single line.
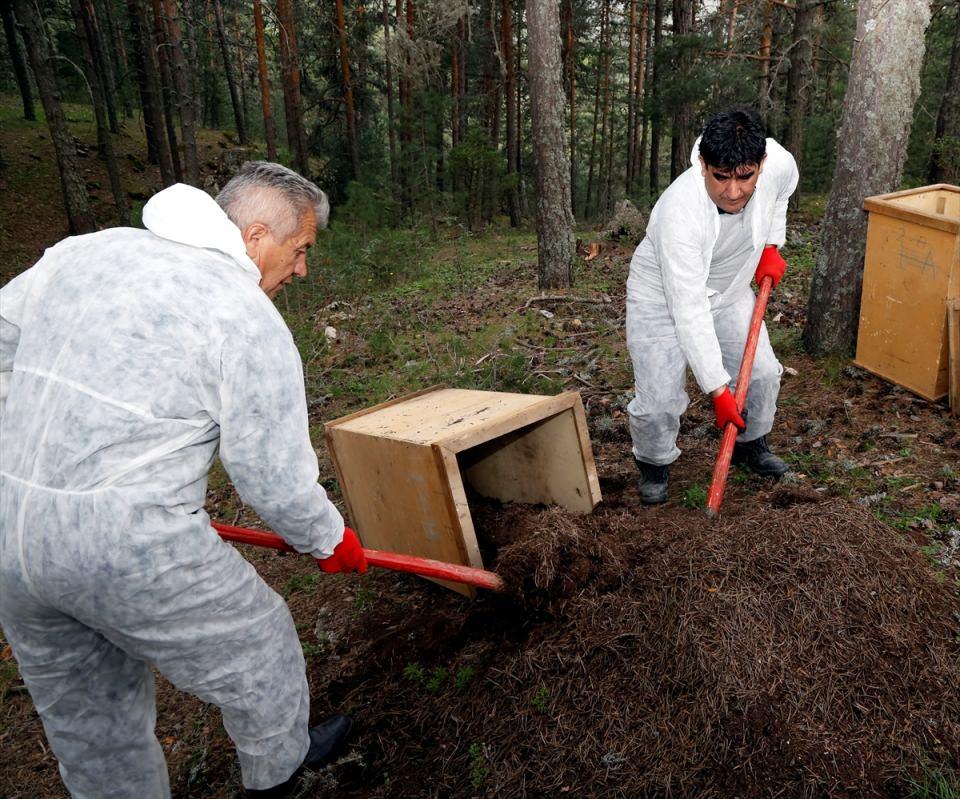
[(265, 439)]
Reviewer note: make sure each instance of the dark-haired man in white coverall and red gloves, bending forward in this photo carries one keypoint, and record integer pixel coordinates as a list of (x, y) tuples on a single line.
[(689, 300)]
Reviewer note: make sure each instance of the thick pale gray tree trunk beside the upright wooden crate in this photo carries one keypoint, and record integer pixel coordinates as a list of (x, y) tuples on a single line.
[(883, 86)]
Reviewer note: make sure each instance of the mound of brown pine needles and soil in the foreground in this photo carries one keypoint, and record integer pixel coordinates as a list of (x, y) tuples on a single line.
[(805, 651)]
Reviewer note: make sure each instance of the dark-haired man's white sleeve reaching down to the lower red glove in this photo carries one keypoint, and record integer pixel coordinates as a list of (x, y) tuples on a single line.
[(685, 288)]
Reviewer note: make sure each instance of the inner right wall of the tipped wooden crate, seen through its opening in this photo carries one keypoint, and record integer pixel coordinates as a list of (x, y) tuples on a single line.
[(541, 463)]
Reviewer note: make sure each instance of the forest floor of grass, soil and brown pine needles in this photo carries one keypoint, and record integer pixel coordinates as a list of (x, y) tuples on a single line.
[(805, 644)]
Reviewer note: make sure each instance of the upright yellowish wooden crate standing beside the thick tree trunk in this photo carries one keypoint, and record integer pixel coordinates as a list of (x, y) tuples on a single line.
[(911, 270)]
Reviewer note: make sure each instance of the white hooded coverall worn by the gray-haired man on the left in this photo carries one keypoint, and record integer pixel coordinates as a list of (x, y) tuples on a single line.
[(126, 357)]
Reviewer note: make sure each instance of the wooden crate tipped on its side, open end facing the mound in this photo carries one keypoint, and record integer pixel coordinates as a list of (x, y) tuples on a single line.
[(404, 466)]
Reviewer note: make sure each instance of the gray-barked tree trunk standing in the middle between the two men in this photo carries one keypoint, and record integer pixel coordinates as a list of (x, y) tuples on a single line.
[(556, 247)]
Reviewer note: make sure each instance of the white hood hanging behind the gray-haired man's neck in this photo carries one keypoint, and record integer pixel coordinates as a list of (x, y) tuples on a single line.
[(190, 216)]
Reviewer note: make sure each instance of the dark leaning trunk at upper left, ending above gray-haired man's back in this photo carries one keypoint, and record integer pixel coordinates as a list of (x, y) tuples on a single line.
[(76, 202)]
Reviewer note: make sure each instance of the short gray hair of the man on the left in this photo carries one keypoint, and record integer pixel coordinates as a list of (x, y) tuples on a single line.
[(273, 195)]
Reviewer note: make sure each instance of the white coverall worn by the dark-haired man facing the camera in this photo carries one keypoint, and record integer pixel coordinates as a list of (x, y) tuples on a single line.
[(688, 303)]
